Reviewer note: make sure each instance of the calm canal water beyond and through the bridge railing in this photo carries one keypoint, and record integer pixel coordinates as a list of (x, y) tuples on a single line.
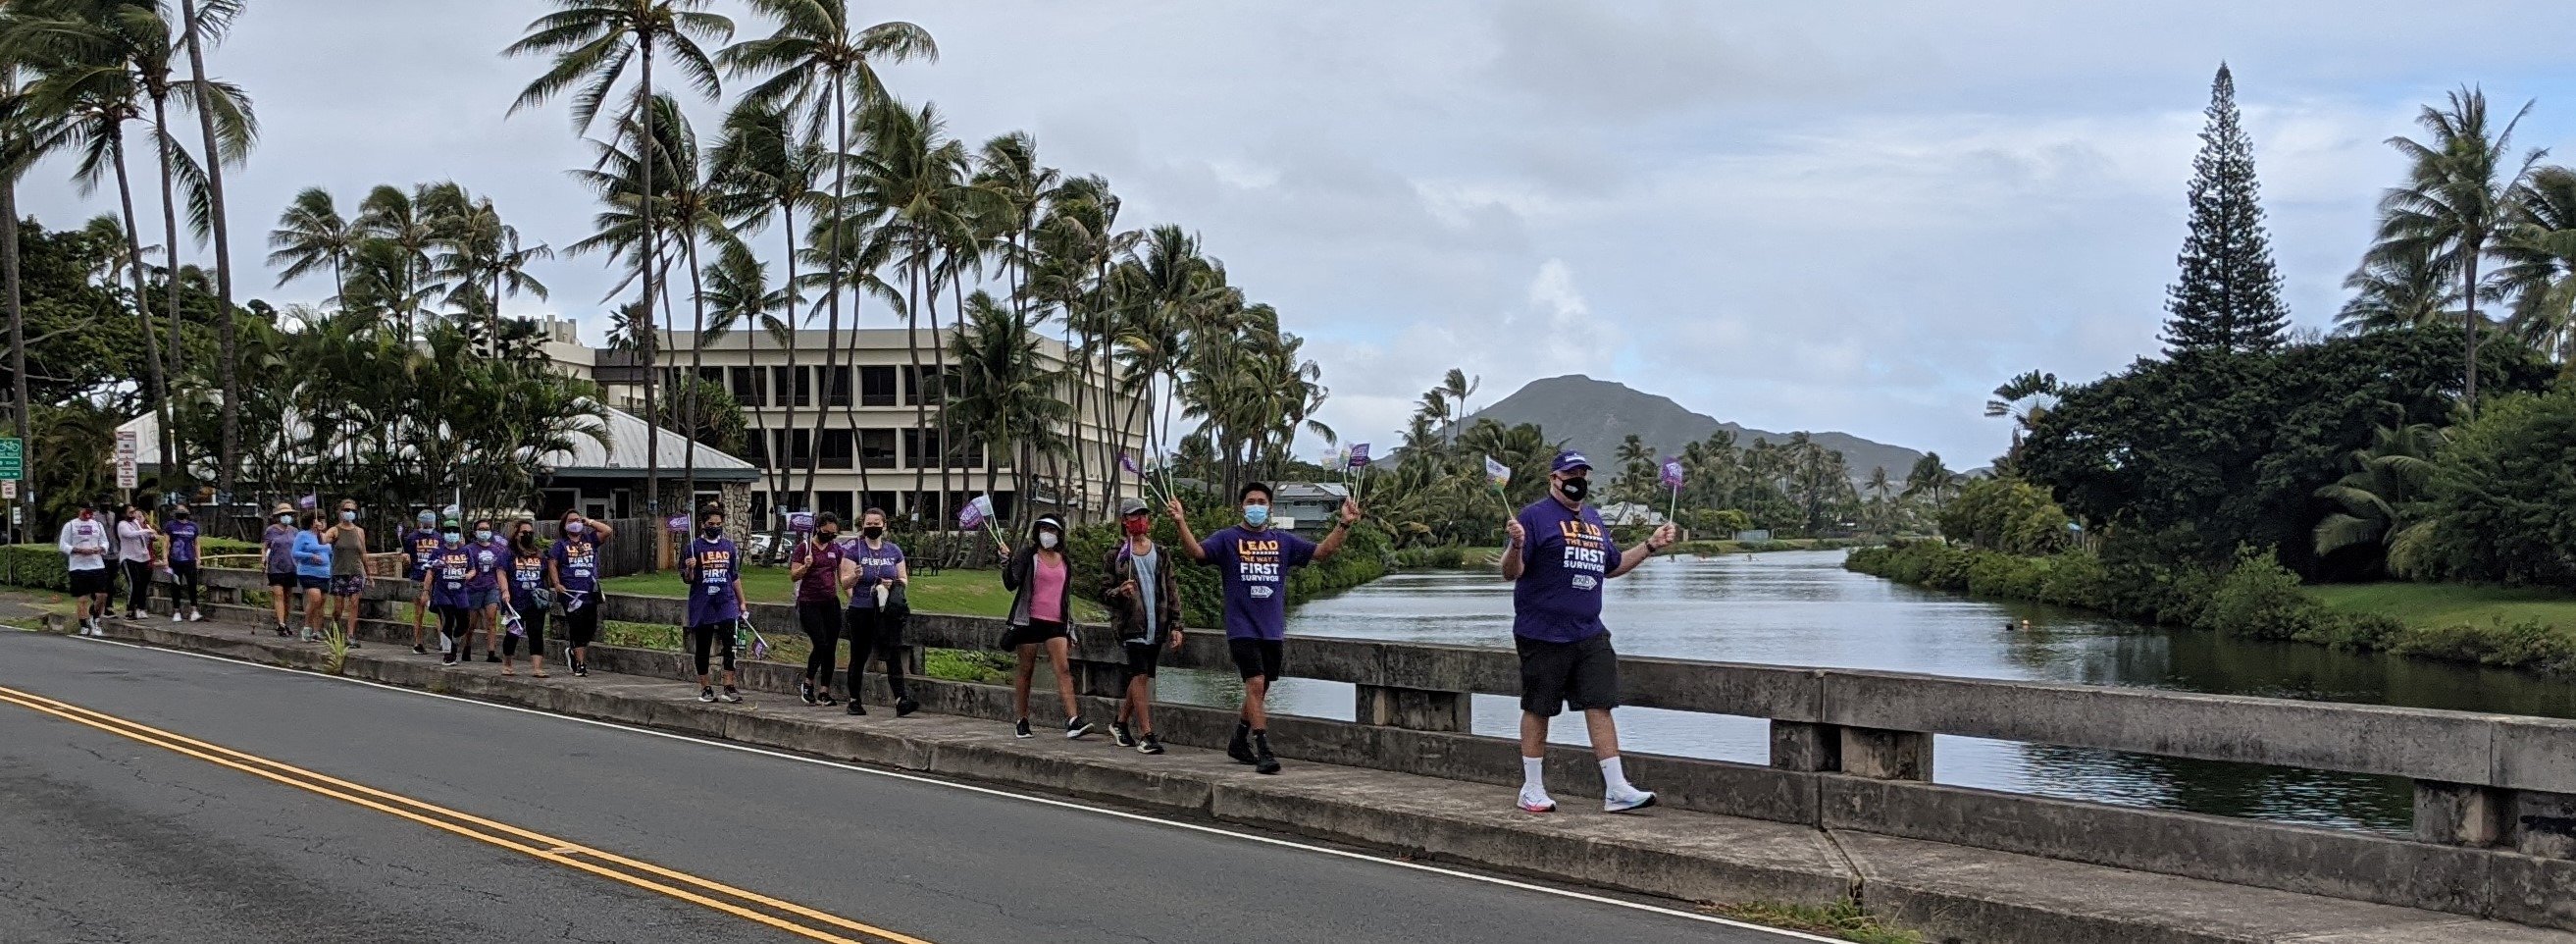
[(1804, 610)]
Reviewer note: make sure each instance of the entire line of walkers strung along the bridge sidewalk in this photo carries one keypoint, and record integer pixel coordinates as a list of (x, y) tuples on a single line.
[(509, 589)]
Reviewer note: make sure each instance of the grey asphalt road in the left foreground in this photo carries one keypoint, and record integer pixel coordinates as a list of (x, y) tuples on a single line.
[(112, 840)]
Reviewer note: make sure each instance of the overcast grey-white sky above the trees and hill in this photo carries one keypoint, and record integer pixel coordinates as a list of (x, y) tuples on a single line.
[(1789, 215)]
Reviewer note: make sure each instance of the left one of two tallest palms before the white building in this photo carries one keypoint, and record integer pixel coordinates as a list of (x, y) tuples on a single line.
[(591, 45)]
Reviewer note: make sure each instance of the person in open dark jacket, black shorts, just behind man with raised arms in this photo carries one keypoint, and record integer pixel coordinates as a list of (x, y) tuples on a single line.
[(1142, 587)]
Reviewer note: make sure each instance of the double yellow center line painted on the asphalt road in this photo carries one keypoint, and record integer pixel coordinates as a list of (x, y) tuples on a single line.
[(707, 894)]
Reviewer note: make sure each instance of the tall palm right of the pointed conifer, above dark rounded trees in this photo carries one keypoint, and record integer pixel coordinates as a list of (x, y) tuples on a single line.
[(2456, 202)]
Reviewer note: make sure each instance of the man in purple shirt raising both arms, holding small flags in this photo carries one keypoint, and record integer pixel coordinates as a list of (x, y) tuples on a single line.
[(1253, 564)]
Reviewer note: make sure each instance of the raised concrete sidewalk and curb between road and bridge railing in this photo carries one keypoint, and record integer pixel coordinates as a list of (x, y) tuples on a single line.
[(1954, 894)]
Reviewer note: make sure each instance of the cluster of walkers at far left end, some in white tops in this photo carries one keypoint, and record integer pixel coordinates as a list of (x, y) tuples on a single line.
[(138, 546)]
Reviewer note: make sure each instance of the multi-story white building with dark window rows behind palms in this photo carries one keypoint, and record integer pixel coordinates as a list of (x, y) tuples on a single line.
[(864, 427)]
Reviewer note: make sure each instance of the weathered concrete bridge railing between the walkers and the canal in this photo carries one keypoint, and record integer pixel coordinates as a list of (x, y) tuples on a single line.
[(1853, 752)]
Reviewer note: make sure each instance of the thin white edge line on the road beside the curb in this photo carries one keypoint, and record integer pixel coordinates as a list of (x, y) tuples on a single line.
[(1027, 798)]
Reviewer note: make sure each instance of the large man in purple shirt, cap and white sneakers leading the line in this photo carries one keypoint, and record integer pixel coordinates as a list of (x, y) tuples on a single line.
[(1557, 558)]
